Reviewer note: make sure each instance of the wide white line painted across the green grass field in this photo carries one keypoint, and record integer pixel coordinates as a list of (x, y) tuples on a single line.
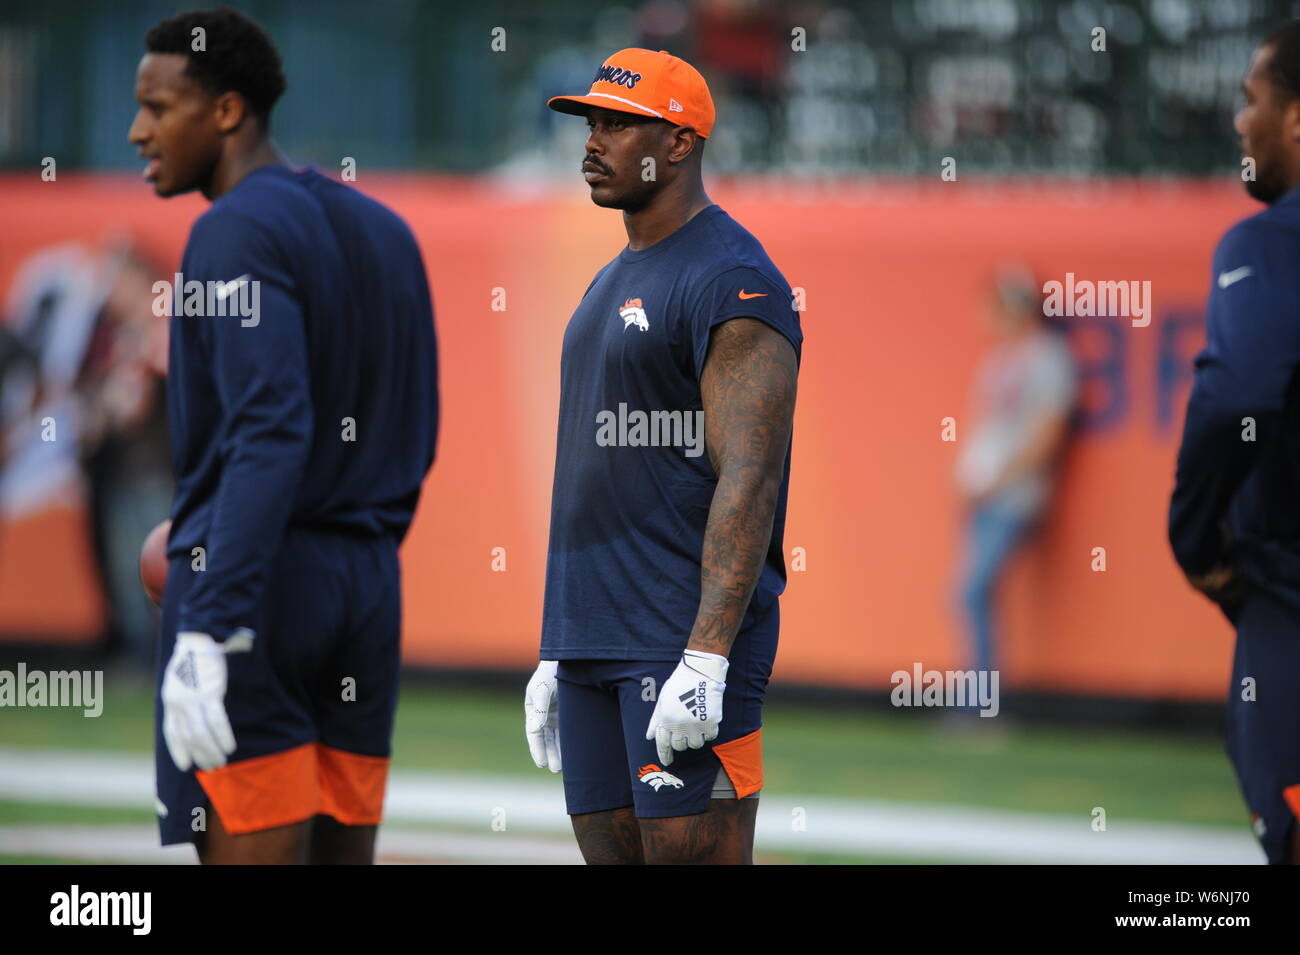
[(834, 827)]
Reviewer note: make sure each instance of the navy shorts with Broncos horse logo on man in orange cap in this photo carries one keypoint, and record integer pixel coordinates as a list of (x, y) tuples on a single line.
[(605, 709)]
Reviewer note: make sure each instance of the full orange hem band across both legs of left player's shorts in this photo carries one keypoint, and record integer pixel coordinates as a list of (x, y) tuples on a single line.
[(291, 787)]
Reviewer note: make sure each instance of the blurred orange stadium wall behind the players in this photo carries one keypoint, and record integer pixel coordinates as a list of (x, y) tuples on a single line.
[(896, 277)]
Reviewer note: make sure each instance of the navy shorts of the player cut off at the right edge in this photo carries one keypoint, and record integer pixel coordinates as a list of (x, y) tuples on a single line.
[(1264, 732)]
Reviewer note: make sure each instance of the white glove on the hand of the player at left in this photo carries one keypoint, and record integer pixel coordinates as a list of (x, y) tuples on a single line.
[(194, 713)]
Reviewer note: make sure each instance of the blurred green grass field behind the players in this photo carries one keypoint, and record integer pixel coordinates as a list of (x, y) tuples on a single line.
[(904, 758)]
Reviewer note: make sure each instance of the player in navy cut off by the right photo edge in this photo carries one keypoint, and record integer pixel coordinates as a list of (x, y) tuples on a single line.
[(1234, 520)]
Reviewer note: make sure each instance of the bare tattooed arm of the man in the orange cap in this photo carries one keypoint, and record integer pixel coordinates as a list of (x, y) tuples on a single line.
[(748, 387)]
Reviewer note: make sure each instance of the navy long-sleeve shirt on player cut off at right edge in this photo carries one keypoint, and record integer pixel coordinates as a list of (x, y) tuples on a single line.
[(1240, 461)]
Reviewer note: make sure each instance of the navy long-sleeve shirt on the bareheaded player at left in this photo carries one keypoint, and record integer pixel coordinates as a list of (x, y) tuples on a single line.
[(317, 409)]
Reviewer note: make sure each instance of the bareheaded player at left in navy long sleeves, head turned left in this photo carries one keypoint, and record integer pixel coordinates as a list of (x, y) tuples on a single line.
[(302, 400)]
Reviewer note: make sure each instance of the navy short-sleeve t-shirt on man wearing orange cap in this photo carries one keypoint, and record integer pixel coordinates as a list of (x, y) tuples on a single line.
[(634, 483)]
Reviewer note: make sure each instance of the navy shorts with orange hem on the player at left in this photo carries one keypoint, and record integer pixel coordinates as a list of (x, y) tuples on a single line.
[(311, 704)]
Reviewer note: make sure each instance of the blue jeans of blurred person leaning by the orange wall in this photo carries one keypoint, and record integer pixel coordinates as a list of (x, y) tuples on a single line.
[(994, 532)]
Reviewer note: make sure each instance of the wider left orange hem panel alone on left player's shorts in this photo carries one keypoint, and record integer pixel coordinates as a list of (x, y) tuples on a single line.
[(265, 792)]
